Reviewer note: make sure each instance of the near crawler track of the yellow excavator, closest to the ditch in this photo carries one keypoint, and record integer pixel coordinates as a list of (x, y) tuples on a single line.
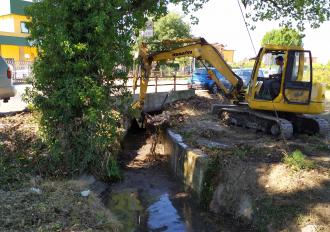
[(243, 117)]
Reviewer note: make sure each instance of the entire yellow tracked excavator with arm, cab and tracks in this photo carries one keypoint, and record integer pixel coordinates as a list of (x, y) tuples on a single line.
[(278, 102)]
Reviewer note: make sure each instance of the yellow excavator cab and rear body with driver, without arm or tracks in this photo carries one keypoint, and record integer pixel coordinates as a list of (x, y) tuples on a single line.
[(286, 84)]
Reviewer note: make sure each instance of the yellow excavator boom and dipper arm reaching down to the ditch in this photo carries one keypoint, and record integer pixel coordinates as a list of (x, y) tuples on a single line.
[(199, 49)]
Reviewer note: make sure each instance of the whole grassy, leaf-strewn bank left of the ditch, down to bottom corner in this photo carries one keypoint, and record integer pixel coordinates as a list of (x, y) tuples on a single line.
[(31, 203)]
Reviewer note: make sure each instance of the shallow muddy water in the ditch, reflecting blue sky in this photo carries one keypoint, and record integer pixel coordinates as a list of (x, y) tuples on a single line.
[(149, 199)]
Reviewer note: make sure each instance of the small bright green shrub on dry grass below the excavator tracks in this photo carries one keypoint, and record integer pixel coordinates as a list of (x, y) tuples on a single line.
[(297, 160)]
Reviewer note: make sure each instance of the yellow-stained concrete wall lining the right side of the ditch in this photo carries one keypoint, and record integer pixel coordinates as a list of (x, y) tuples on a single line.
[(186, 164)]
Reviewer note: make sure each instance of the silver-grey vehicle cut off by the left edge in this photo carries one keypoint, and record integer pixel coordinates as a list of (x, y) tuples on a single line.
[(7, 90)]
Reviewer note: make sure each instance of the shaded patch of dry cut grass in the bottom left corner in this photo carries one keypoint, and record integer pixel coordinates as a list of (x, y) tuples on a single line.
[(54, 206)]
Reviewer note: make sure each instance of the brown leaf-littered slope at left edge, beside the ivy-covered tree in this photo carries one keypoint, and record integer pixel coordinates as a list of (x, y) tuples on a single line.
[(20, 151)]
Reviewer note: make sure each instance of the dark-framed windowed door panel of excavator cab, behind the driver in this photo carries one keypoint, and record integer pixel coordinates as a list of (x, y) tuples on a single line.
[(298, 78)]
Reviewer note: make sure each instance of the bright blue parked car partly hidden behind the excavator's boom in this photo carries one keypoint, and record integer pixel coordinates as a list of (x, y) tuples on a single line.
[(201, 80)]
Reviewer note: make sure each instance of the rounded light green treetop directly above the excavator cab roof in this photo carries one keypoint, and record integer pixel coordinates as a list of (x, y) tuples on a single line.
[(283, 36)]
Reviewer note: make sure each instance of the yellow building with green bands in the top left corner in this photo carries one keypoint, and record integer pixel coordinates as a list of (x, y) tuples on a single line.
[(13, 32)]
